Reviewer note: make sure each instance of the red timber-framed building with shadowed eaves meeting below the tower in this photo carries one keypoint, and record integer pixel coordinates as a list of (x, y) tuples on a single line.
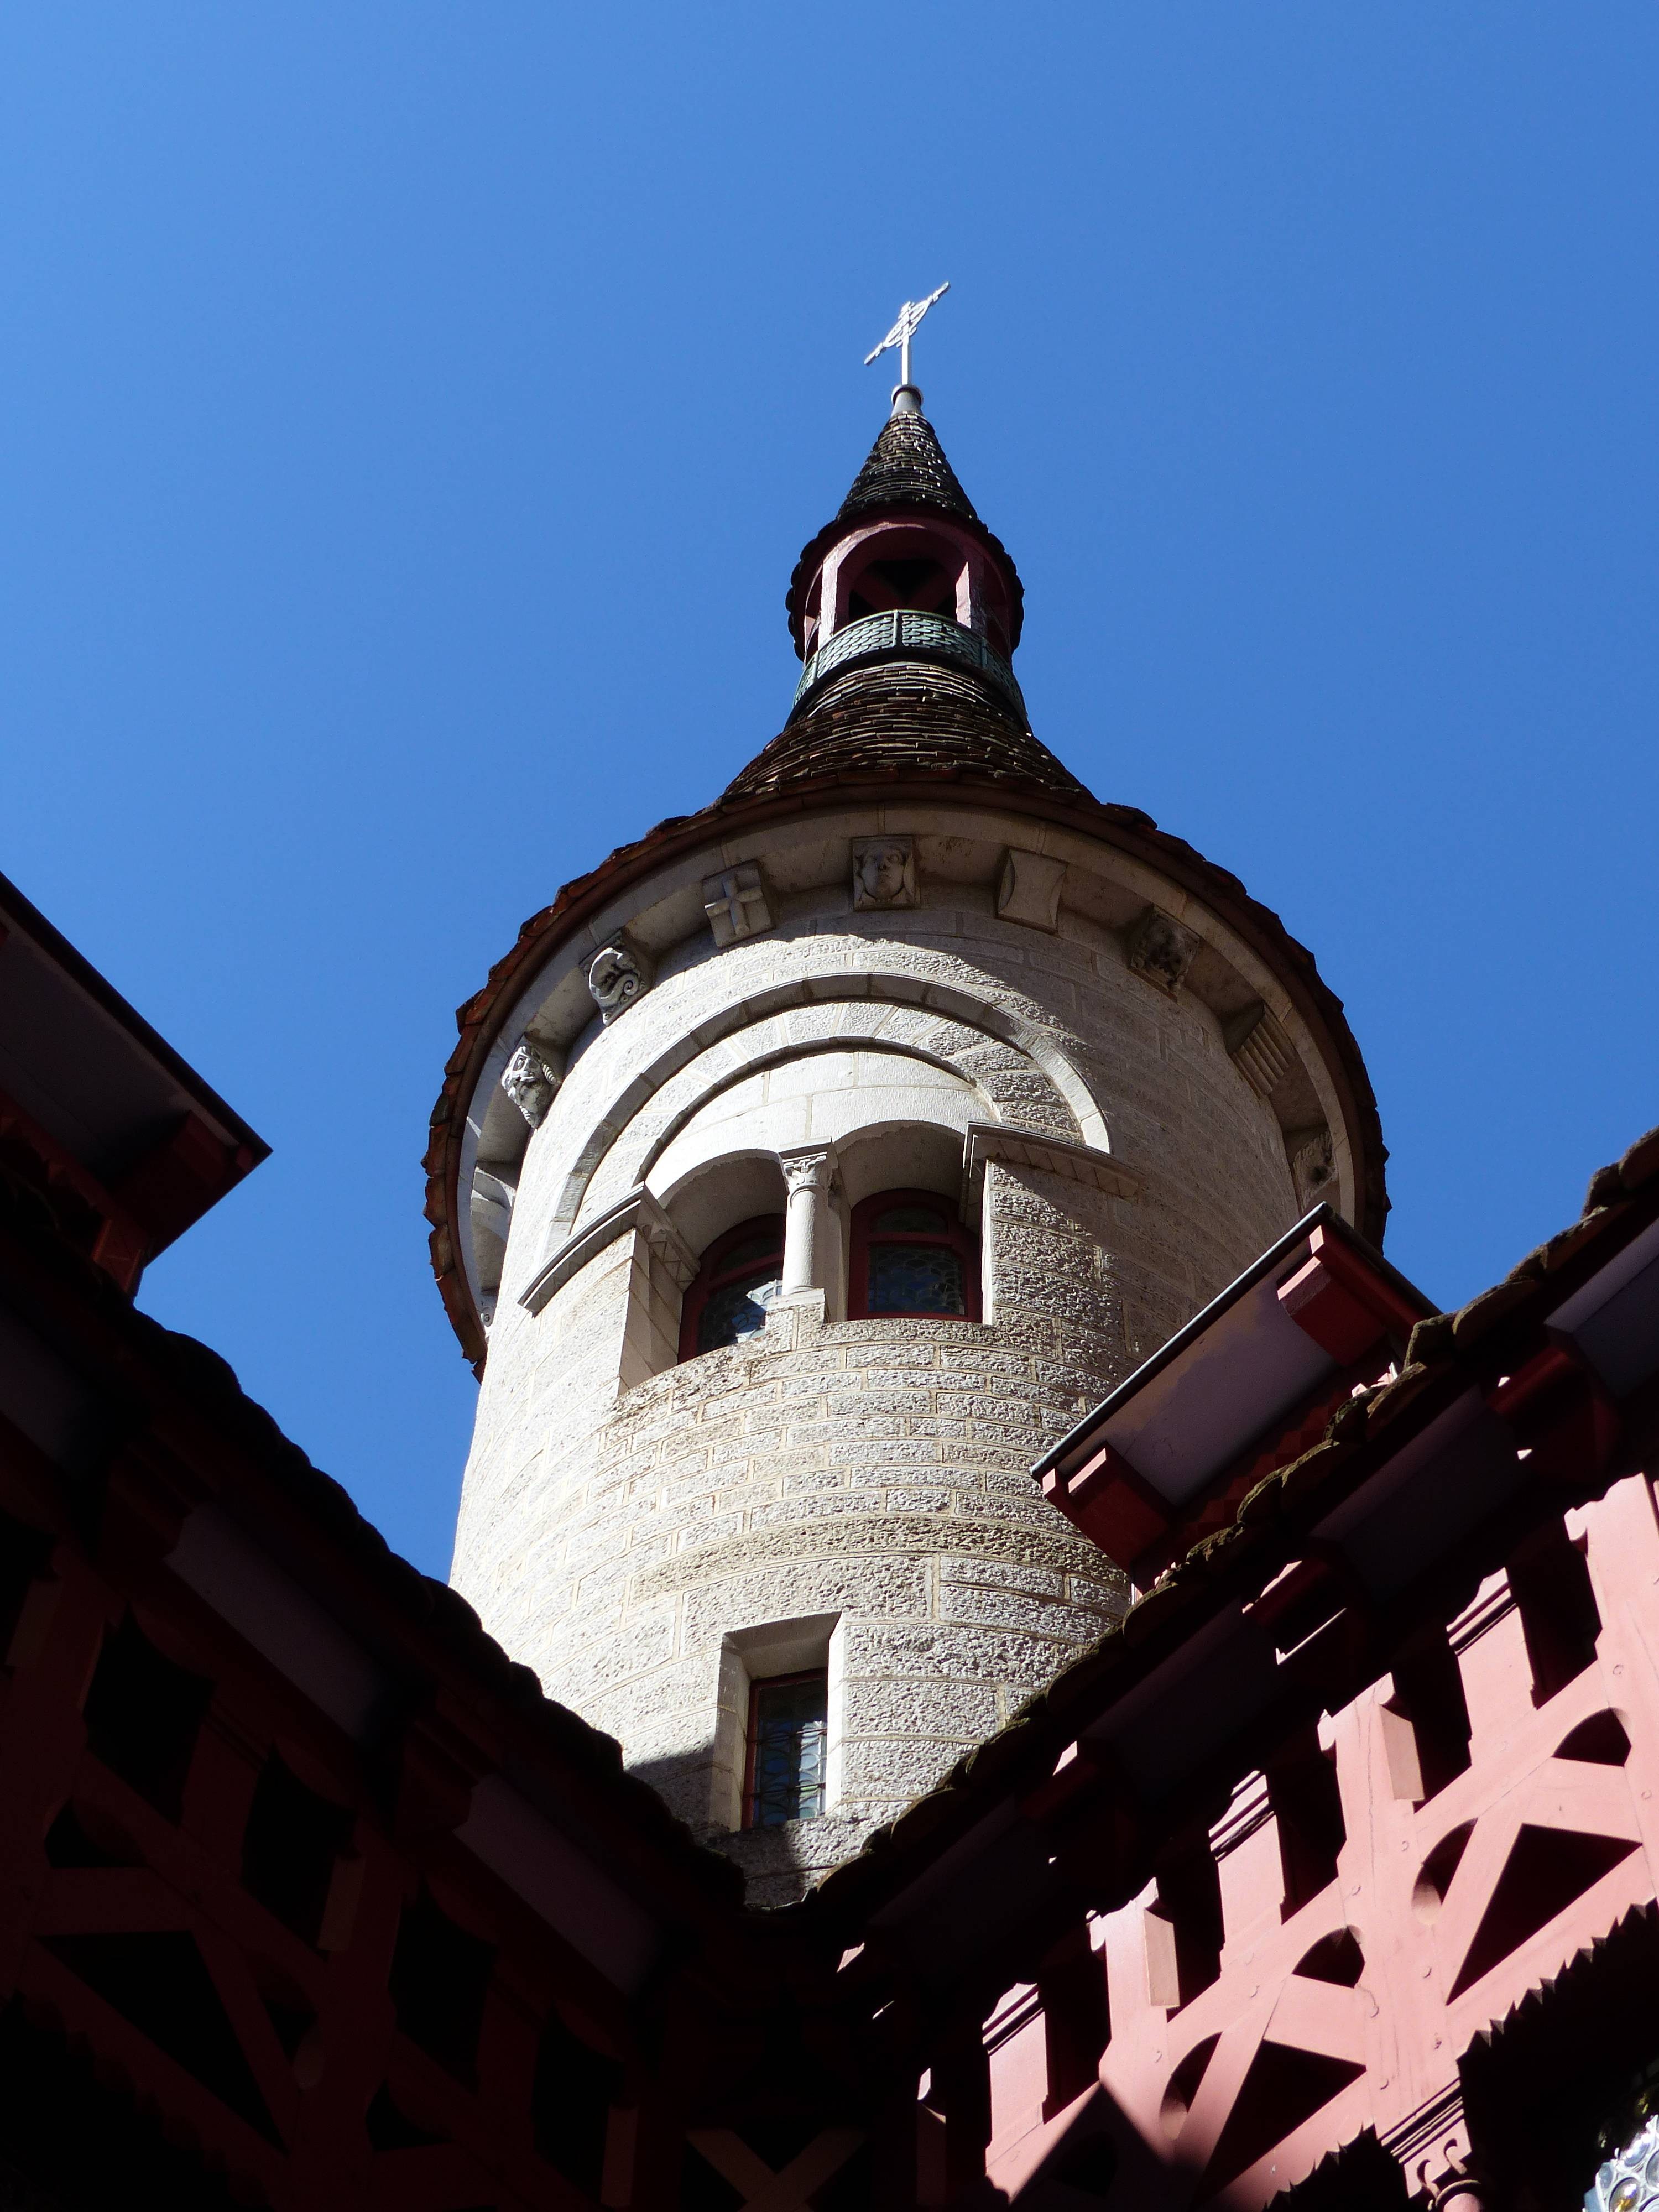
[(1333, 1877)]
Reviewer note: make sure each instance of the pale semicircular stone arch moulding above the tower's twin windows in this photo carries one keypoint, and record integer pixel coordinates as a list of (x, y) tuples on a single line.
[(1012, 1063)]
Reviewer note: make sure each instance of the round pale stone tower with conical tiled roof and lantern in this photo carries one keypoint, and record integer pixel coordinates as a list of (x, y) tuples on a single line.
[(815, 1162)]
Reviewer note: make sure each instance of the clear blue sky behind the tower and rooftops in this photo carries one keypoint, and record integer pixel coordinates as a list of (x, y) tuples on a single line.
[(410, 417)]
